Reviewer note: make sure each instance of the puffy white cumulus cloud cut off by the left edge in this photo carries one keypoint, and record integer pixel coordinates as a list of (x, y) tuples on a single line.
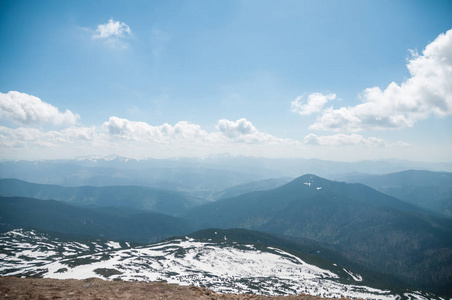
[(25, 109)]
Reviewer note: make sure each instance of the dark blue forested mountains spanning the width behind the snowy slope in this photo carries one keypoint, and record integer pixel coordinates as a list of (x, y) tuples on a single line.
[(352, 224)]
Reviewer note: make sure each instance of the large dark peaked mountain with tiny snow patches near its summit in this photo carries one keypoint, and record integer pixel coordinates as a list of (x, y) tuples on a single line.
[(366, 226)]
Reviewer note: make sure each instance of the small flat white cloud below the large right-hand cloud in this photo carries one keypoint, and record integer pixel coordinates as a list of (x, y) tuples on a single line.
[(343, 140)]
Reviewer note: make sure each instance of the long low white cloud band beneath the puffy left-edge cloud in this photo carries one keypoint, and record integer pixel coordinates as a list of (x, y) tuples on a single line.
[(140, 139)]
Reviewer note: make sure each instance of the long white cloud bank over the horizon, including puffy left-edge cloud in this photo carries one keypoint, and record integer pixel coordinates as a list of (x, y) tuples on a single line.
[(123, 136)]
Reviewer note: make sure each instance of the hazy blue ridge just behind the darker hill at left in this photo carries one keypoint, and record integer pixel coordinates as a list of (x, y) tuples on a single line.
[(145, 198)]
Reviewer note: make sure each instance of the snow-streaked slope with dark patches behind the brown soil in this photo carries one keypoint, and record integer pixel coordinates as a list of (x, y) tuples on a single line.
[(222, 267)]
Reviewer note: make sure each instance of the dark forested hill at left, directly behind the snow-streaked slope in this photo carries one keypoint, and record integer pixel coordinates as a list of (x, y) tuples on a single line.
[(106, 222)]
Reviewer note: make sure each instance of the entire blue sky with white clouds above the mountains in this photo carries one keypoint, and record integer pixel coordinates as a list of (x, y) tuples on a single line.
[(334, 80)]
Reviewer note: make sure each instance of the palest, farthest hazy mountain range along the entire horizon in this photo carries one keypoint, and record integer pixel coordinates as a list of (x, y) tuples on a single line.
[(212, 173)]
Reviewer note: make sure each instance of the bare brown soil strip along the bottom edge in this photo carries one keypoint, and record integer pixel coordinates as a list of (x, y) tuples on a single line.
[(37, 288)]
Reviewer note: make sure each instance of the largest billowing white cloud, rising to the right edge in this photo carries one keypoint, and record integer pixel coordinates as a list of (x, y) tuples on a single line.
[(427, 92)]
